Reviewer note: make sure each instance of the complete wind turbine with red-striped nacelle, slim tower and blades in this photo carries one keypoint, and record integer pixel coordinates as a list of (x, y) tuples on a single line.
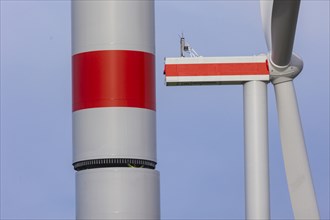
[(280, 66)]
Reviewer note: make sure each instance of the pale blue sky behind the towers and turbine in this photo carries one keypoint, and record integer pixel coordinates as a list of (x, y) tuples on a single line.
[(199, 129)]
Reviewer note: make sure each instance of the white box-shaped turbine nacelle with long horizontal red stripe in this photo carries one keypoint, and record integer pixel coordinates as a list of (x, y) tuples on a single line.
[(215, 70)]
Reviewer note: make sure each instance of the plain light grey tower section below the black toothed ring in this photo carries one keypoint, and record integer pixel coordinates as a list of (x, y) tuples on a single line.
[(117, 193)]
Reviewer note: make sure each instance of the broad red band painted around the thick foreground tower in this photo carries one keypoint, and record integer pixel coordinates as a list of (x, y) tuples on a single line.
[(113, 78)]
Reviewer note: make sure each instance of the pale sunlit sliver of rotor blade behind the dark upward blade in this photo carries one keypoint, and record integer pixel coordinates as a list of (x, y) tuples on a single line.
[(266, 8)]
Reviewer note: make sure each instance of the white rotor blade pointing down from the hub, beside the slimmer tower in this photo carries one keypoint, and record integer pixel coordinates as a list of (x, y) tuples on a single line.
[(297, 169)]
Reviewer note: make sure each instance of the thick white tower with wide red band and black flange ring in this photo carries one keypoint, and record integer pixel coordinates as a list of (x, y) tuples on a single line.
[(114, 118)]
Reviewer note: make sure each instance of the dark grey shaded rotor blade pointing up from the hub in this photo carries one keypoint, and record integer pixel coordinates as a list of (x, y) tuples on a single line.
[(283, 28)]
